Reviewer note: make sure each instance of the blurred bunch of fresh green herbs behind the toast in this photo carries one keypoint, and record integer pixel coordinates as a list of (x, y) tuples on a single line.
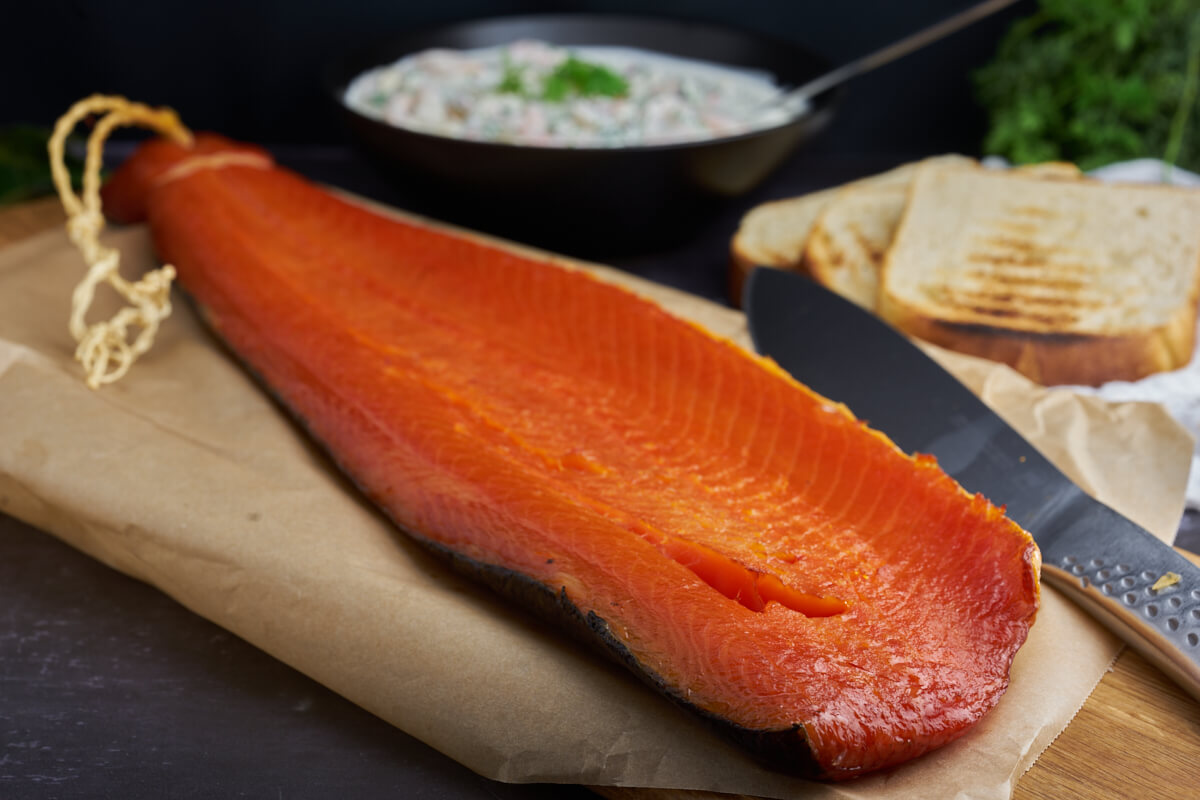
[(1095, 82)]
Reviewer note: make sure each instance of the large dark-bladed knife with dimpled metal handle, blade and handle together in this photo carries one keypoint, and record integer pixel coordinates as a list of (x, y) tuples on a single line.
[(1138, 587)]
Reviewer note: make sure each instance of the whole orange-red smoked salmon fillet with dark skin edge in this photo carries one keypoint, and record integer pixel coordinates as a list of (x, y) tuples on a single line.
[(741, 543)]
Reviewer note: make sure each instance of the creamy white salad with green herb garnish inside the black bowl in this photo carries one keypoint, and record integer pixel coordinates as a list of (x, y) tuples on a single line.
[(532, 93)]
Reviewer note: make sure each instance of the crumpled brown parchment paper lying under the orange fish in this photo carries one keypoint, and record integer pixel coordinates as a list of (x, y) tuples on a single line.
[(185, 476)]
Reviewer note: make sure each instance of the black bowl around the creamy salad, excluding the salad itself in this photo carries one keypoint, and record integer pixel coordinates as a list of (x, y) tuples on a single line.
[(585, 201)]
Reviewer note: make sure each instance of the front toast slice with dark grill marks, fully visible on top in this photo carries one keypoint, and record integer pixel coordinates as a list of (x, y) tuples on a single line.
[(1069, 281)]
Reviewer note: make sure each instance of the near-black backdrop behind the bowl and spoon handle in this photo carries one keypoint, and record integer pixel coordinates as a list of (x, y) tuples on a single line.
[(253, 69)]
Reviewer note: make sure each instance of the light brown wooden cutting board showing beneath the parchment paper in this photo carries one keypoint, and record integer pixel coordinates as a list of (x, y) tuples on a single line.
[(1138, 736)]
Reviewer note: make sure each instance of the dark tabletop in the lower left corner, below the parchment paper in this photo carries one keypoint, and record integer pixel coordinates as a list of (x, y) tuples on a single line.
[(110, 689)]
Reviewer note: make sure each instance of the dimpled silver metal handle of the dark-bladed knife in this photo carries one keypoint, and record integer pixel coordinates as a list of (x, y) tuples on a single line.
[(1162, 624)]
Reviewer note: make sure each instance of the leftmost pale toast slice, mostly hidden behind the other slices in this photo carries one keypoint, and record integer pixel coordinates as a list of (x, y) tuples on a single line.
[(776, 233)]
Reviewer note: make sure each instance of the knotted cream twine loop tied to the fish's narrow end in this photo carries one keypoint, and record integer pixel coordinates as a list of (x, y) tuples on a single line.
[(105, 348)]
